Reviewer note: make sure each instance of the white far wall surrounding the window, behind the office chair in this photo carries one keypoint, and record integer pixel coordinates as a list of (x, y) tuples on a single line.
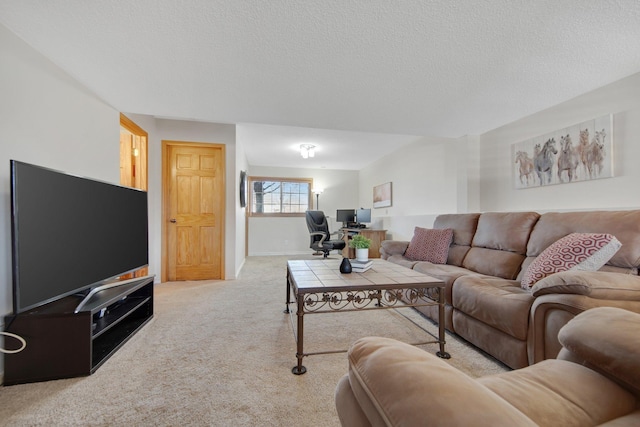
[(276, 236)]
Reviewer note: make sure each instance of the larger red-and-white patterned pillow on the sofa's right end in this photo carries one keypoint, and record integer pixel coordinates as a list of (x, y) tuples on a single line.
[(577, 251)]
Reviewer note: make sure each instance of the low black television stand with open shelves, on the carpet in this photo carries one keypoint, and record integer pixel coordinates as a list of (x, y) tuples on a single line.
[(63, 343)]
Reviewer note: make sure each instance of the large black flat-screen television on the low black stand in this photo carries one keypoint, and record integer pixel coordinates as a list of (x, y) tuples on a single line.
[(70, 234)]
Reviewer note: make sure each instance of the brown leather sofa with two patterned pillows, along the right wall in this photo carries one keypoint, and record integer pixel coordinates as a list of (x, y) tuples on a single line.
[(490, 252)]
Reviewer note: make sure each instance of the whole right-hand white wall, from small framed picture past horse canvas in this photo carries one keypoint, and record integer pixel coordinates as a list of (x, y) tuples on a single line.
[(473, 173)]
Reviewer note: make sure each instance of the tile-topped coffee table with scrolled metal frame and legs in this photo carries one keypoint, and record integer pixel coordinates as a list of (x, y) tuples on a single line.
[(318, 287)]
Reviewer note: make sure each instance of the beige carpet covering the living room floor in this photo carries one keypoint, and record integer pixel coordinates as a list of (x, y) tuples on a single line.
[(220, 354)]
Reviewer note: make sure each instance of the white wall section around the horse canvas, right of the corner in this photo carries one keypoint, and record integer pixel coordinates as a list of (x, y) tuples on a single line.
[(621, 98)]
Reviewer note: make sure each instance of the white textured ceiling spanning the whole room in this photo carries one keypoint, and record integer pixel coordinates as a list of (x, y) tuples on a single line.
[(442, 68)]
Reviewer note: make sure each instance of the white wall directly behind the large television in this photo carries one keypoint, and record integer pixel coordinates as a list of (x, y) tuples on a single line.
[(48, 119)]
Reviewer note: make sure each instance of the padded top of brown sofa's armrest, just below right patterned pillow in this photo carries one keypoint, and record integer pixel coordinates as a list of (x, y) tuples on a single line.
[(595, 284)]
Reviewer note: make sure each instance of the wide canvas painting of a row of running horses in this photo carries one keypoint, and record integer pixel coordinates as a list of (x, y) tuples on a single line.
[(581, 152)]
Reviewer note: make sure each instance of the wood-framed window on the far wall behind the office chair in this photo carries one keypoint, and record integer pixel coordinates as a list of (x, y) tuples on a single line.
[(279, 196)]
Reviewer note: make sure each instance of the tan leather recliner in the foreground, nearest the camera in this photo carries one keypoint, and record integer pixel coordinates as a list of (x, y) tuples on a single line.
[(594, 381)]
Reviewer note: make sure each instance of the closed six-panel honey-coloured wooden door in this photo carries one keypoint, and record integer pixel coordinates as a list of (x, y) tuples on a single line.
[(194, 210)]
